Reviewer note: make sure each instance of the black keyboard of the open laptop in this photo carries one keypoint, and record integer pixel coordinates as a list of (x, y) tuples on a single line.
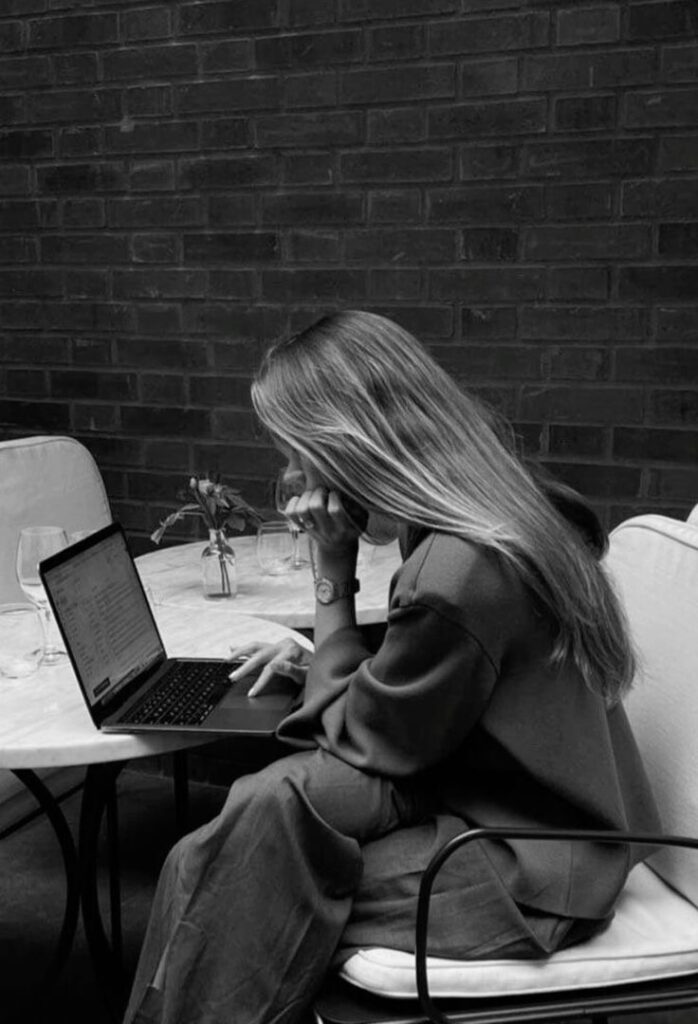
[(186, 696)]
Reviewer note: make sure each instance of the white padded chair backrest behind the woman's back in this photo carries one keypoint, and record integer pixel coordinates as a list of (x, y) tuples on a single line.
[(655, 564)]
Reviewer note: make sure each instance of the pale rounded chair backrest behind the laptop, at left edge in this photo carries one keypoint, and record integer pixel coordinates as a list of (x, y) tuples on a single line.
[(46, 482)]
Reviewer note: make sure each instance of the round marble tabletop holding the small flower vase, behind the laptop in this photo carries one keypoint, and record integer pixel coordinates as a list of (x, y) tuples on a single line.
[(173, 578)]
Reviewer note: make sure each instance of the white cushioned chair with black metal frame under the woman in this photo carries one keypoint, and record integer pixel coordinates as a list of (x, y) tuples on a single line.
[(648, 958)]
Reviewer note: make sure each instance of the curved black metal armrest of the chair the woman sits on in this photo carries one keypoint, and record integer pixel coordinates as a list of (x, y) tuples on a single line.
[(570, 835)]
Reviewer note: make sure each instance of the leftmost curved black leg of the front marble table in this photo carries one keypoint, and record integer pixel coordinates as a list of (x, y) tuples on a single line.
[(50, 806)]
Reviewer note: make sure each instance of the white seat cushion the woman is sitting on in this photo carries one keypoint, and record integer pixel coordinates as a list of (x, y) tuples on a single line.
[(653, 935)]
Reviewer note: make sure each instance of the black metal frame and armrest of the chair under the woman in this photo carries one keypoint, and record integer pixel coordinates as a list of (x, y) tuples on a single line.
[(591, 1004)]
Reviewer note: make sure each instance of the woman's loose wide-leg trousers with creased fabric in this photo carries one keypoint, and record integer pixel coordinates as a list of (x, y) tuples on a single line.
[(309, 857)]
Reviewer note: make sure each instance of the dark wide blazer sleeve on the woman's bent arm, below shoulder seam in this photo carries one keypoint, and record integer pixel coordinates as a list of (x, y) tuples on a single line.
[(404, 709)]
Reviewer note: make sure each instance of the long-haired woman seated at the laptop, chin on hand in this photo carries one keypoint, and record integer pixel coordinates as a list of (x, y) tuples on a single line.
[(493, 700)]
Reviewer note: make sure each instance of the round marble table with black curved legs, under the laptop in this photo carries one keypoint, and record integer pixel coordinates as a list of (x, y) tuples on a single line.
[(45, 723)]
